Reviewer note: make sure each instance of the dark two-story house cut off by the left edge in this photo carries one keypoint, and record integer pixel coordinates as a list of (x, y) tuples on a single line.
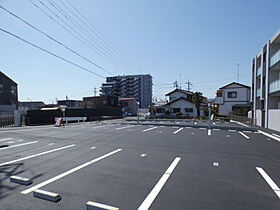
[(8, 95)]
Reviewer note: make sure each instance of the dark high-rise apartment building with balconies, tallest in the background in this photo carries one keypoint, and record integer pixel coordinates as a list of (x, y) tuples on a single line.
[(130, 86)]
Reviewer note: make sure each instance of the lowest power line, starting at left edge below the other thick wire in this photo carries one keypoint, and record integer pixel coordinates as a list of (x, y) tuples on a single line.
[(50, 53)]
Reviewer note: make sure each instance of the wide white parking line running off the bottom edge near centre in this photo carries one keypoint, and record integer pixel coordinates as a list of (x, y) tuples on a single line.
[(157, 188)]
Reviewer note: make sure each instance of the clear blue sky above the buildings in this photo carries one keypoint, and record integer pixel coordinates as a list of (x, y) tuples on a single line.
[(201, 40)]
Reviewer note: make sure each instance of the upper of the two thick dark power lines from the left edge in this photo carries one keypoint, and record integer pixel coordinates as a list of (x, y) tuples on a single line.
[(53, 39)]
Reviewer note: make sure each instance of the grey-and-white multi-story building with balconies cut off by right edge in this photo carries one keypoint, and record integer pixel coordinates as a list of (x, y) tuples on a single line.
[(265, 88)]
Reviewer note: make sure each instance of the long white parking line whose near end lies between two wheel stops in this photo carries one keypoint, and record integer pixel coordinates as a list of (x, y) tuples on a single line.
[(69, 172)]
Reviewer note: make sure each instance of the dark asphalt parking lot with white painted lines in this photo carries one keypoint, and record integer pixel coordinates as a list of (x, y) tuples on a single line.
[(133, 166)]
